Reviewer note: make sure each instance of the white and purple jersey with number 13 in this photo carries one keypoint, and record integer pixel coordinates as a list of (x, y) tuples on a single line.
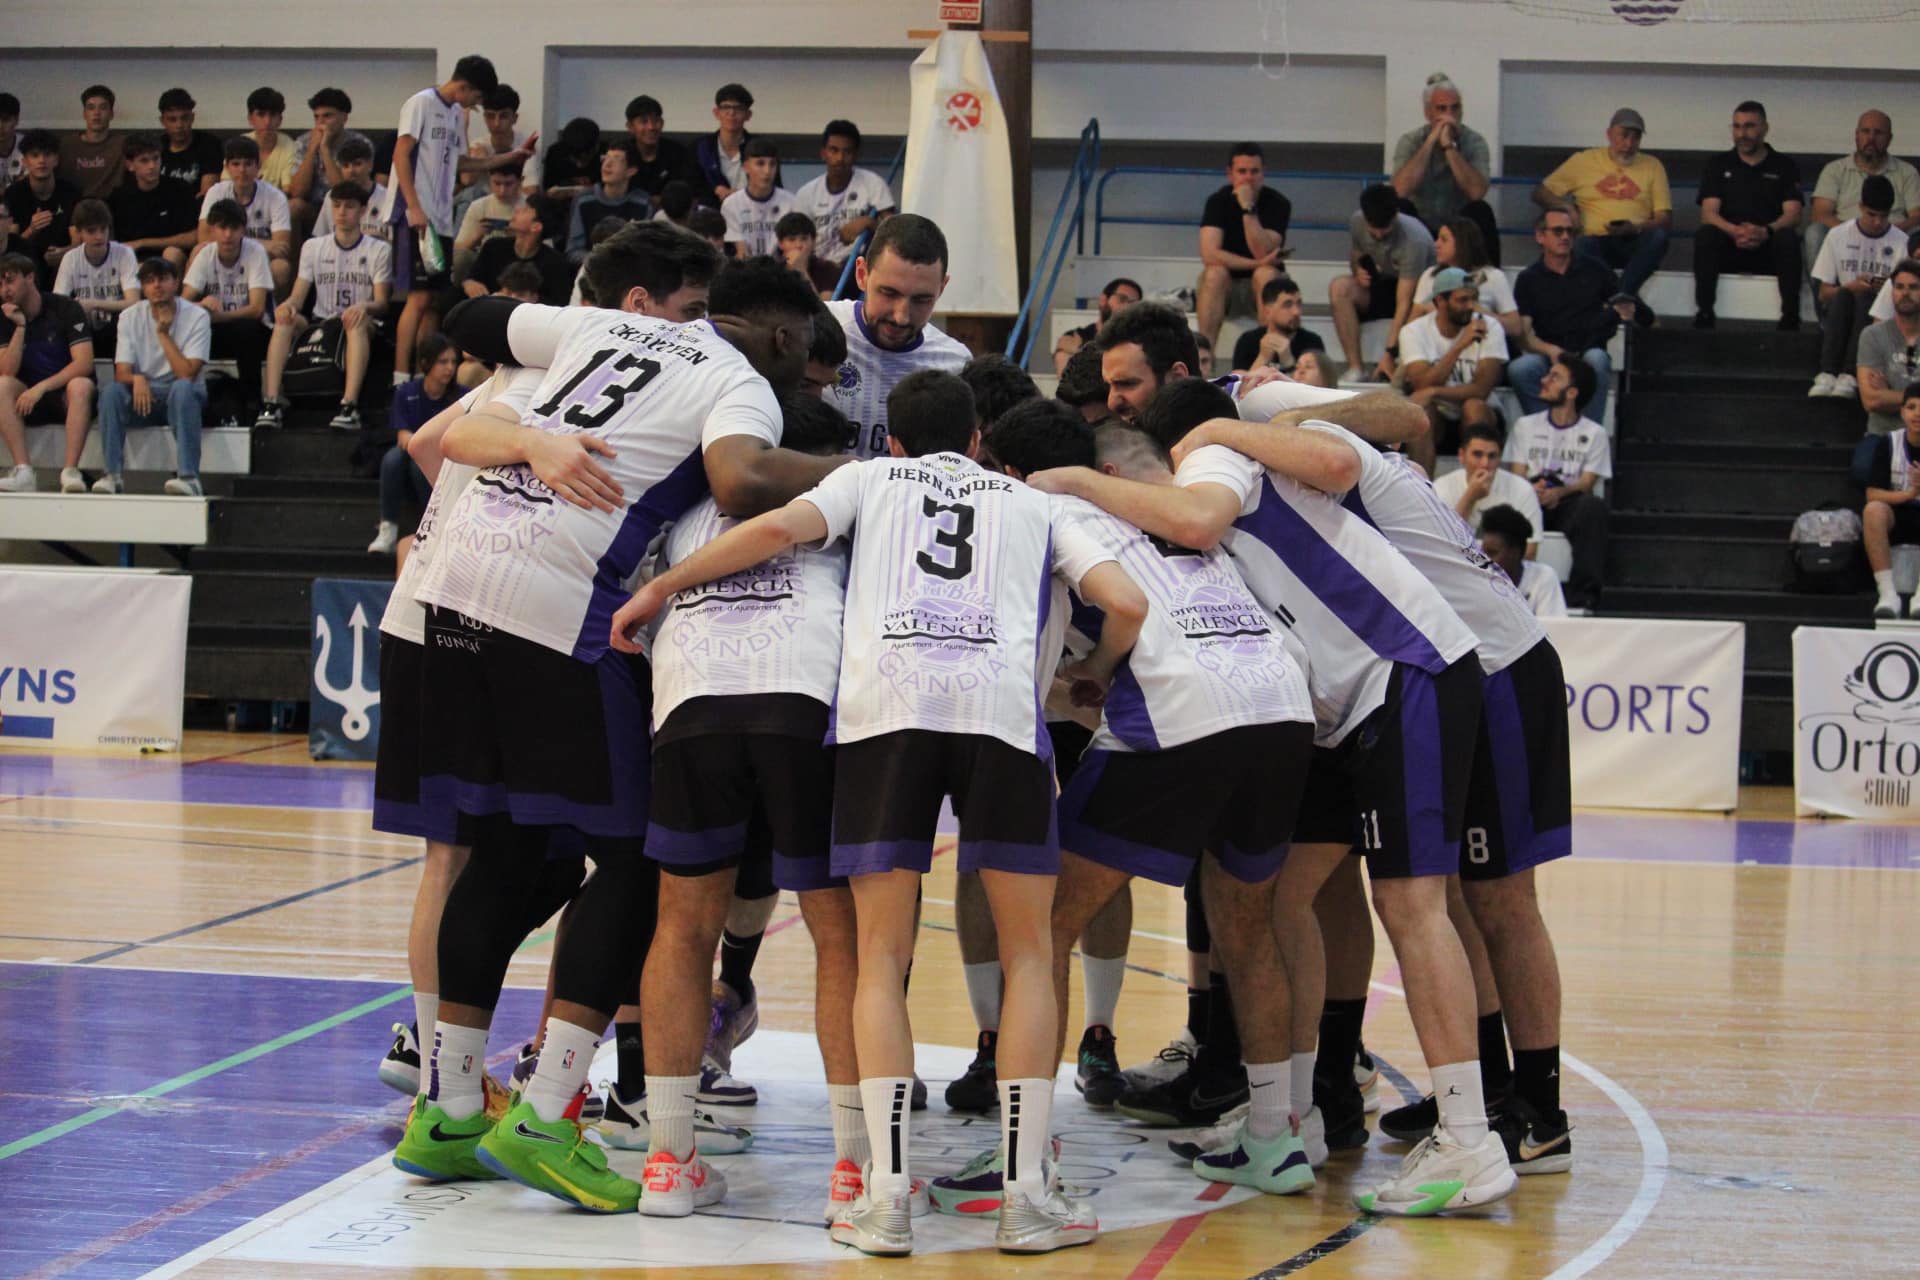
[(531, 563)]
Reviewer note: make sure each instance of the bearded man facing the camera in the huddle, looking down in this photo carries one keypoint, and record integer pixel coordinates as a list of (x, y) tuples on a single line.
[(890, 327)]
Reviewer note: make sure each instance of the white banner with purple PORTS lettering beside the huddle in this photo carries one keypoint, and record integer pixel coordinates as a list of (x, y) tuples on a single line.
[(1654, 711)]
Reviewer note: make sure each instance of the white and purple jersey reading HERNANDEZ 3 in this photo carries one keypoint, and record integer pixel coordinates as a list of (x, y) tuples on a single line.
[(949, 598)]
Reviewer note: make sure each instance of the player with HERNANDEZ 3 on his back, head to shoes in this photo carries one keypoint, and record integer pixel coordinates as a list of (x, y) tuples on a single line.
[(940, 696)]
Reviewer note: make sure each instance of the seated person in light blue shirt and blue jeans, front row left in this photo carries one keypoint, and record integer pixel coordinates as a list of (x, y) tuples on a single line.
[(156, 379)]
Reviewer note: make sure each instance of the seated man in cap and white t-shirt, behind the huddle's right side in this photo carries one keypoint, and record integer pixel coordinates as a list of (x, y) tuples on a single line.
[(1452, 362)]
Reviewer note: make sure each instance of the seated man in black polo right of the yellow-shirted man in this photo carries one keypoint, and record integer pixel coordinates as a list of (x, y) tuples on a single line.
[(1750, 206)]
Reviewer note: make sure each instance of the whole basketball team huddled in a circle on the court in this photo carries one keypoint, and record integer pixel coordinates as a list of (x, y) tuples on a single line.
[(675, 617)]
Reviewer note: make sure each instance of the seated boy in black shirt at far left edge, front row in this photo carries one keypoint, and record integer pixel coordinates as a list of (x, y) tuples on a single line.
[(47, 373)]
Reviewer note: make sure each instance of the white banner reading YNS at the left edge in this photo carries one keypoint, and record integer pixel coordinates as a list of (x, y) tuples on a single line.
[(93, 657)]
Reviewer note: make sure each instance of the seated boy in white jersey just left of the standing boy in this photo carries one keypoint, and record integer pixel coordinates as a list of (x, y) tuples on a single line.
[(350, 279)]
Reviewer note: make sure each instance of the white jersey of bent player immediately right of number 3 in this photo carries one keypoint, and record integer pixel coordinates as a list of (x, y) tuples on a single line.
[(1209, 659)]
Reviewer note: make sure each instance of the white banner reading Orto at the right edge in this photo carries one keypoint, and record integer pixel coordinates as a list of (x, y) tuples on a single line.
[(1856, 723)]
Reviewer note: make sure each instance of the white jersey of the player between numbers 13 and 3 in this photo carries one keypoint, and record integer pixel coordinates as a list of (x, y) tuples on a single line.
[(771, 628)]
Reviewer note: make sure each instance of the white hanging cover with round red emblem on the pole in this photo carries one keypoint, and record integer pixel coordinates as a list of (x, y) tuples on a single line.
[(961, 174)]
